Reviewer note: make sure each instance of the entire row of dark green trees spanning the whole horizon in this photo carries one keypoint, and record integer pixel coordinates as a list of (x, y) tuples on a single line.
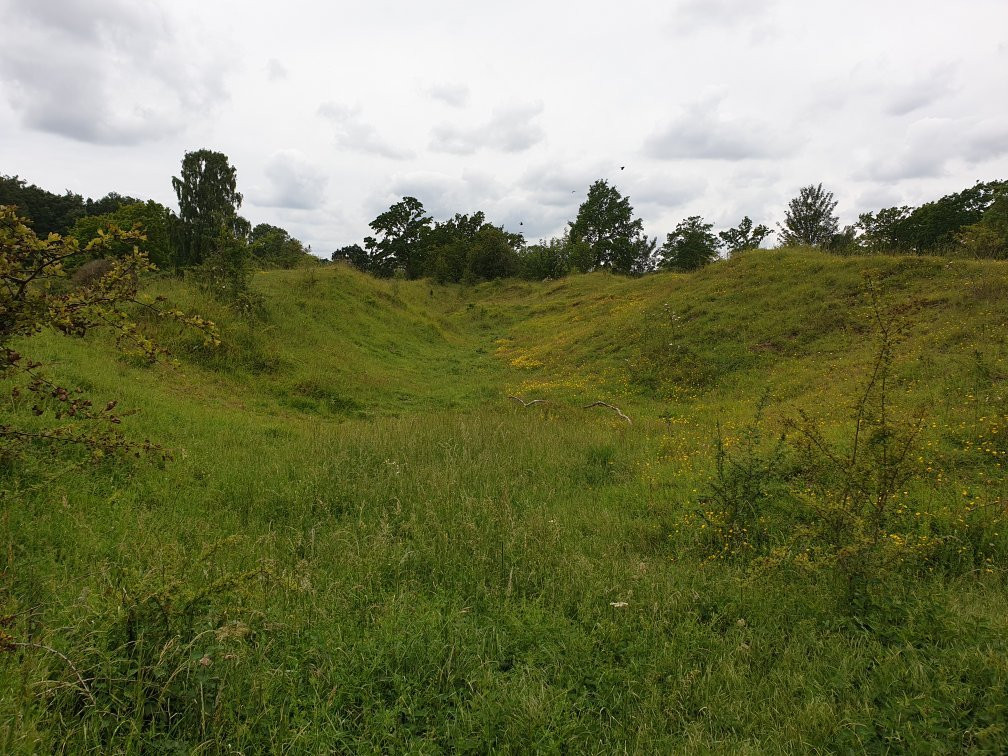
[(208, 233)]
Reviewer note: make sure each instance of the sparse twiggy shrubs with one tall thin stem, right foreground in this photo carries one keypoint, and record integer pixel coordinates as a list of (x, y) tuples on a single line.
[(810, 502)]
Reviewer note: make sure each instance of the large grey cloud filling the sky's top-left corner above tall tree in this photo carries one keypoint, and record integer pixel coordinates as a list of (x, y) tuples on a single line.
[(107, 73)]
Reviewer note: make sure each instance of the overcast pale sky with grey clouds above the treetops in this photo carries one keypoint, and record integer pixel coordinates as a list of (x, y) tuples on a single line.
[(332, 111)]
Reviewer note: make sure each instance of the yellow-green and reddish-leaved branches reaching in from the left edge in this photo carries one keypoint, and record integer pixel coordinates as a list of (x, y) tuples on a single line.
[(32, 300)]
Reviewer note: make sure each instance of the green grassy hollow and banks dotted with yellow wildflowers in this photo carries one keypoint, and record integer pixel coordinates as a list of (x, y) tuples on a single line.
[(362, 545)]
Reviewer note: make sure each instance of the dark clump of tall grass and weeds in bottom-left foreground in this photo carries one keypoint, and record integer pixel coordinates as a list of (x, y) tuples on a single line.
[(154, 667)]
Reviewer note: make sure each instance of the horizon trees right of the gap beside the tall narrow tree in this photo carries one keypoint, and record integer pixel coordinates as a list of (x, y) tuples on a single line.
[(605, 235)]
